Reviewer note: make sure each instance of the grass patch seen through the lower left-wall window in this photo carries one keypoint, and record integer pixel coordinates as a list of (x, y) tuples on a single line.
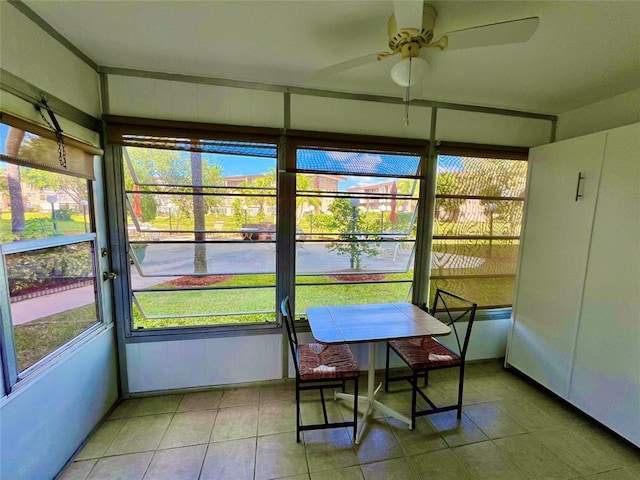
[(36, 339)]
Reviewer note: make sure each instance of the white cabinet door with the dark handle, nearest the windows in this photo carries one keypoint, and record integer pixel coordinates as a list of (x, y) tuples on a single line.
[(553, 259)]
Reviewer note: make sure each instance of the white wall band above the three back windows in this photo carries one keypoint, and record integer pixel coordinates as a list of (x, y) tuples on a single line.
[(167, 99)]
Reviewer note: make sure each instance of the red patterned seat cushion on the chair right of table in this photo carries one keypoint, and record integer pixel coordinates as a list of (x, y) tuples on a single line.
[(424, 353)]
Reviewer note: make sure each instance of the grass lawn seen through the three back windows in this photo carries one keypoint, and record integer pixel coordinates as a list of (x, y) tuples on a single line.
[(484, 291)]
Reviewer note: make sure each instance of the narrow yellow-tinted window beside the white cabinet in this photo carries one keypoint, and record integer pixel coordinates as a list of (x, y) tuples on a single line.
[(476, 233)]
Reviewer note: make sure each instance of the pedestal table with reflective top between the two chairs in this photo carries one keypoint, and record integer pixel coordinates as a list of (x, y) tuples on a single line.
[(371, 323)]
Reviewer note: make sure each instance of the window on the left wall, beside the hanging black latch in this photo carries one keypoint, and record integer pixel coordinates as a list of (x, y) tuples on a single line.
[(48, 248)]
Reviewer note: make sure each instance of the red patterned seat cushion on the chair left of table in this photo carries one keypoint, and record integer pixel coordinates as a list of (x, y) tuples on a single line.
[(318, 361)]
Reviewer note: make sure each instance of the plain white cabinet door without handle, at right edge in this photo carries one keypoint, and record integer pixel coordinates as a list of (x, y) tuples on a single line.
[(606, 370)]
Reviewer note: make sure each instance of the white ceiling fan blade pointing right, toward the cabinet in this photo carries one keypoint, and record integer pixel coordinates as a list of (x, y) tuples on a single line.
[(514, 31)]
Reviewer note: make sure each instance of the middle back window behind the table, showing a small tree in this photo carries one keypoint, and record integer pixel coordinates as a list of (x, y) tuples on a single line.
[(356, 213)]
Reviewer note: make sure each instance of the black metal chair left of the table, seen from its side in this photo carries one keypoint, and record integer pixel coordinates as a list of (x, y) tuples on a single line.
[(318, 367)]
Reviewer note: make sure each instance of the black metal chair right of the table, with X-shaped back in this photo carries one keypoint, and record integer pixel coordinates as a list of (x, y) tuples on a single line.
[(424, 354)]
